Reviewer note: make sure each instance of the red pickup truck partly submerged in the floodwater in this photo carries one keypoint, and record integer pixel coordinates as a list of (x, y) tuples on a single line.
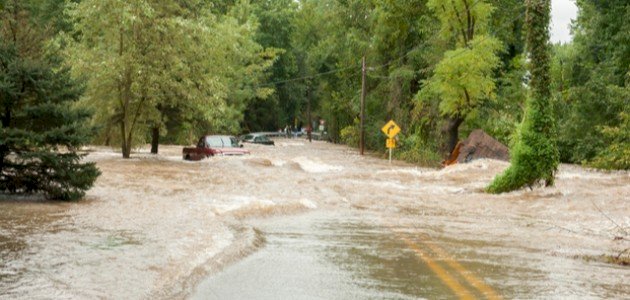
[(211, 145)]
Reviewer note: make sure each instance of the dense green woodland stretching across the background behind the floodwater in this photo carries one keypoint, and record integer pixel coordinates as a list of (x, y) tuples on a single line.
[(167, 71)]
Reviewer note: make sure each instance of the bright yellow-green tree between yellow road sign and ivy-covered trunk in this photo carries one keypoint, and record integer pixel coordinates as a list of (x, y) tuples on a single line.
[(464, 77)]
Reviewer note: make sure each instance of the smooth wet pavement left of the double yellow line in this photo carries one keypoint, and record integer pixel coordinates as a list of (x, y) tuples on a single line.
[(325, 256)]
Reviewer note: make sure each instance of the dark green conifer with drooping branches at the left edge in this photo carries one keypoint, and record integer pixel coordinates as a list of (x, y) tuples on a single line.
[(41, 129)]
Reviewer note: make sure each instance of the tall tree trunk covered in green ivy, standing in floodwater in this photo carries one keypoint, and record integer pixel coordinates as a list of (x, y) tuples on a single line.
[(534, 156)]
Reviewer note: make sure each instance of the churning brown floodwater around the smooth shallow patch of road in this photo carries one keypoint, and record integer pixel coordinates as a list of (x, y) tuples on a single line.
[(159, 224)]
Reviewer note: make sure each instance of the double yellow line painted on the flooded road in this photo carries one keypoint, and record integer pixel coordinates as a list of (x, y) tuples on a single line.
[(444, 275)]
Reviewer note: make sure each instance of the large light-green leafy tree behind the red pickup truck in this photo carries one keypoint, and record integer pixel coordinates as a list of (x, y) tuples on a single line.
[(150, 62)]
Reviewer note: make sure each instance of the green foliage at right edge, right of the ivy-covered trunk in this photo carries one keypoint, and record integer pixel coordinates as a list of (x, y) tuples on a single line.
[(589, 80)]
